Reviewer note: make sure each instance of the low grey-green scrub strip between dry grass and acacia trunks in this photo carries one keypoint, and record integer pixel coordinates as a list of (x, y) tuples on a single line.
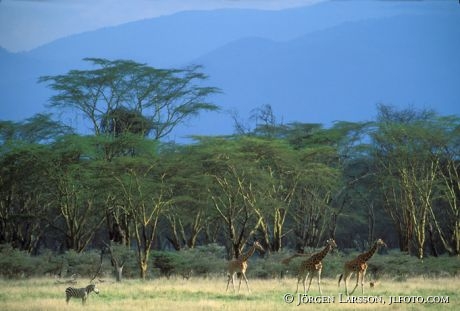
[(209, 260)]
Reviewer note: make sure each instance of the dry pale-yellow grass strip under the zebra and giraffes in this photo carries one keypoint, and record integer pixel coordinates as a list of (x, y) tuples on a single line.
[(209, 294)]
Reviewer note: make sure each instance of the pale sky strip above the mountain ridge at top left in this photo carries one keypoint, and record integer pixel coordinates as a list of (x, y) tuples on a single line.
[(27, 24)]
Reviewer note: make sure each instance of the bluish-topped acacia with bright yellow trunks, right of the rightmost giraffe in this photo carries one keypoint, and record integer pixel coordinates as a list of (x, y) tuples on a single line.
[(409, 147)]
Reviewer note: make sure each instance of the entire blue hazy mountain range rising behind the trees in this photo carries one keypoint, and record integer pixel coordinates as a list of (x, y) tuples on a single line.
[(331, 61)]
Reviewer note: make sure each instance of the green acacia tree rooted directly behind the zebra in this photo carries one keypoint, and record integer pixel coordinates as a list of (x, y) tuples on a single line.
[(75, 195)]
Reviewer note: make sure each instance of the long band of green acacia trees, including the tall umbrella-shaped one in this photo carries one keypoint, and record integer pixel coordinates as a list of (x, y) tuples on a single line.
[(287, 185)]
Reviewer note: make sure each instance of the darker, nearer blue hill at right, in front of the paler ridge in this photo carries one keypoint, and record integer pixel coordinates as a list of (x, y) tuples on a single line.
[(343, 72)]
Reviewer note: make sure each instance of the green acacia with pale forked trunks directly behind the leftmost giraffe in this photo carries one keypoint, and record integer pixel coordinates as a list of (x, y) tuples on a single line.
[(235, 192)]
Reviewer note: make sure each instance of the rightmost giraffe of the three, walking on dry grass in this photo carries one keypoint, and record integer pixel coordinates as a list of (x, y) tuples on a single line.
[(359, 266)]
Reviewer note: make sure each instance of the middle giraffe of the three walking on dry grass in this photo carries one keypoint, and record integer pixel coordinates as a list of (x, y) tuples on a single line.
[(313, 264)]
